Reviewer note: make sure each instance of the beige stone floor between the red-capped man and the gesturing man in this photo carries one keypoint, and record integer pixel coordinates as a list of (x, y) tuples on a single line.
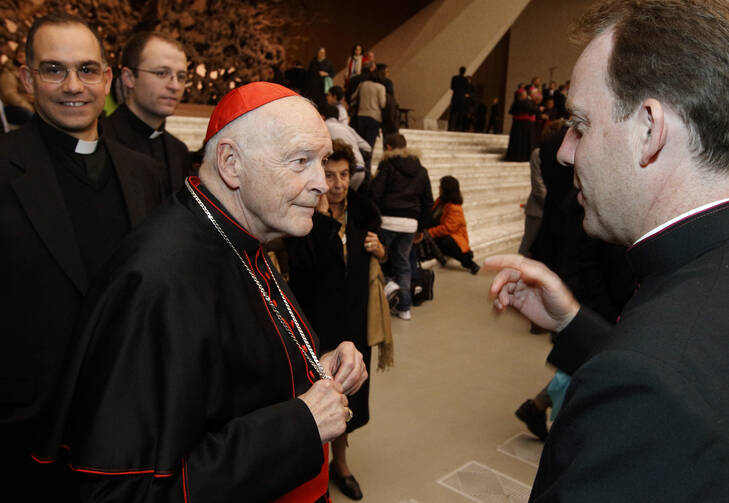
[(460, 372)]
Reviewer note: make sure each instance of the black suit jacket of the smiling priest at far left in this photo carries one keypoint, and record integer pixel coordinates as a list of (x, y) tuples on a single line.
[(44, 280)]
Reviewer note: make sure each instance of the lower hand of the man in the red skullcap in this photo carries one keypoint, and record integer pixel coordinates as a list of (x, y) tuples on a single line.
[(329, 407)]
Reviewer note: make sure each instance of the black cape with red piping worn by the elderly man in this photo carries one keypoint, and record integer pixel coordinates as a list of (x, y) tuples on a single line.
[(185, 382)]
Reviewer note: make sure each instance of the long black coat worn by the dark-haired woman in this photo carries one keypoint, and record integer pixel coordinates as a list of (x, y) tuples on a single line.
[(333, 294)]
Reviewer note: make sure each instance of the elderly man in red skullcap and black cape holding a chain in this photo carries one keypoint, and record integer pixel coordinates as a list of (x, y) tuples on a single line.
[(199, 380)]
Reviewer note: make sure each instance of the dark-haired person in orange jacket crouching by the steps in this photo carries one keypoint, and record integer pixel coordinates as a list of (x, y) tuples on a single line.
[(450, 234)]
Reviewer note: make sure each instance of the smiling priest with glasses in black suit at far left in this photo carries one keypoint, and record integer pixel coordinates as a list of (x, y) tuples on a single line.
[(67, 197)]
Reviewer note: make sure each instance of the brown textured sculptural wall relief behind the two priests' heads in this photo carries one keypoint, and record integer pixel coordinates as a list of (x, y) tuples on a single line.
[(228, 42)]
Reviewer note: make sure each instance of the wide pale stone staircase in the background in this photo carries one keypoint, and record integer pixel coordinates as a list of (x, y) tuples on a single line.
[(493, 190)]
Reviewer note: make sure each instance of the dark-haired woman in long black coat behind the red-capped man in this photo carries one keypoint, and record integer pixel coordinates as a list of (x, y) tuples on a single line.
[(329, 273)]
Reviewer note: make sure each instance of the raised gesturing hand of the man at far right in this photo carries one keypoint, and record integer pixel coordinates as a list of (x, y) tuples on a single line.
[(532, 289)]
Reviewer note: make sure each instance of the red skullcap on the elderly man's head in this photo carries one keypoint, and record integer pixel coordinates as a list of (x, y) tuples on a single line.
[(242, 100)]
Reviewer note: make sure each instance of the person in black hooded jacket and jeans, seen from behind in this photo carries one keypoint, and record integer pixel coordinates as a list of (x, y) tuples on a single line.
[(401, 189)]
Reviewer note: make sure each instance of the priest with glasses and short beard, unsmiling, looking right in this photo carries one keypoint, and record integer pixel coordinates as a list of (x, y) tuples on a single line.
[(153, 75)]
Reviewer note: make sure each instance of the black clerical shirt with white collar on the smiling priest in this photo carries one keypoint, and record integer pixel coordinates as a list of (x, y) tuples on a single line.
[(91, 192)]
